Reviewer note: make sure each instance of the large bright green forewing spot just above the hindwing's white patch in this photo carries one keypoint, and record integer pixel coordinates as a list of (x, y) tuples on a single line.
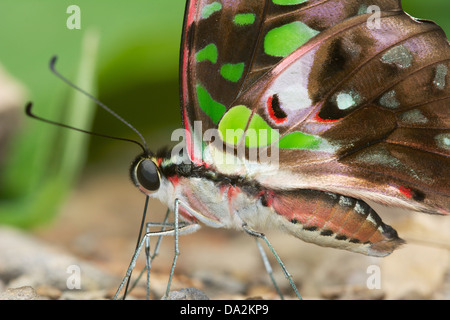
[(282, 41)]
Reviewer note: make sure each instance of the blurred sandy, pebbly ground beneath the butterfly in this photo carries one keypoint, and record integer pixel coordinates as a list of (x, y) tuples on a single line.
[(97, 229)]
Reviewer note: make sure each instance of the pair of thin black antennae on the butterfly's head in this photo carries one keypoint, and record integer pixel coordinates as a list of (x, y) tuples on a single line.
[(29, 106)]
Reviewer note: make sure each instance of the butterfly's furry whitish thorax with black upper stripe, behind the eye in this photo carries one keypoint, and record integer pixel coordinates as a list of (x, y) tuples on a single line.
[(207, 191)]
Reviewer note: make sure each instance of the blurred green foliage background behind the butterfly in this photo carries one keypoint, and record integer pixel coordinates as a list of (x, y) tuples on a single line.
[(126, 53)]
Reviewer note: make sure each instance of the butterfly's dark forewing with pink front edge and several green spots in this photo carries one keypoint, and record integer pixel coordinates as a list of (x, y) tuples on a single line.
[(223, 50)]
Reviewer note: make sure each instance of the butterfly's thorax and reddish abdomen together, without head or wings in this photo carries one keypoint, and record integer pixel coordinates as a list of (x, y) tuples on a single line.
[(215, 199)]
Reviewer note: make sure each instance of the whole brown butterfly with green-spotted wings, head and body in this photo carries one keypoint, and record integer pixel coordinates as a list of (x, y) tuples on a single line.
[(355, 112)]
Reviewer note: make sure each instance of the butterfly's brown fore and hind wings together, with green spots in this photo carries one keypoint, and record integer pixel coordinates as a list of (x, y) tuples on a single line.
[(361, 109)]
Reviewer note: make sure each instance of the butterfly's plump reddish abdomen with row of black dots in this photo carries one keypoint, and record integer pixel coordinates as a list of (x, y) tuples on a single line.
[(334, 220)]
